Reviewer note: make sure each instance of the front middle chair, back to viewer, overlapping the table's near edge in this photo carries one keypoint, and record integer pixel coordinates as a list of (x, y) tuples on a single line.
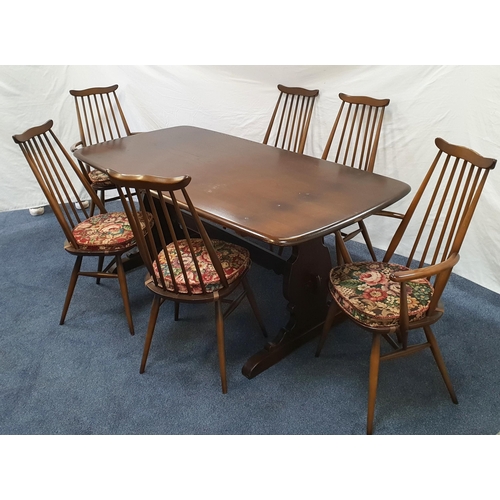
[(184, 268)]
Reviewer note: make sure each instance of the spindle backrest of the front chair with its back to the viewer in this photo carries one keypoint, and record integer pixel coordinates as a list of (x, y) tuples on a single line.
[(171, 207)]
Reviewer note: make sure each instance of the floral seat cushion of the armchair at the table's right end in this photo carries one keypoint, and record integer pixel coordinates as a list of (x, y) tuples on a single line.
[(365, 291)]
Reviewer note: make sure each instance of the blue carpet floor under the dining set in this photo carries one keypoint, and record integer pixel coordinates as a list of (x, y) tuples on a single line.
[(82, 378)]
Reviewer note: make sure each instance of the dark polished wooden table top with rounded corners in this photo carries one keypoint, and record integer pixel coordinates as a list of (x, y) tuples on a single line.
[(274, 195)]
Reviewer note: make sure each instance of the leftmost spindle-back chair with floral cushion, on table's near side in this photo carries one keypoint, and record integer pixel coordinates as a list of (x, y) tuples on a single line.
[(107, 234)]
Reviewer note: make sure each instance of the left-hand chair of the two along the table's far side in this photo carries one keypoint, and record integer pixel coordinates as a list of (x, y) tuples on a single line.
[(291, 117)]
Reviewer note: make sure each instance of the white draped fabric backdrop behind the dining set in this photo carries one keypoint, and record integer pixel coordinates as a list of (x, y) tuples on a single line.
[(458, 103)]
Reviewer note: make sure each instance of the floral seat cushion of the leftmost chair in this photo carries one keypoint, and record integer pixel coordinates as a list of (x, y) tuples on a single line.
[(109, 231)]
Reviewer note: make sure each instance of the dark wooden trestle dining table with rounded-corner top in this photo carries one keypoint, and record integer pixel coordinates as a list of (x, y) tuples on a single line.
[(264, 198)]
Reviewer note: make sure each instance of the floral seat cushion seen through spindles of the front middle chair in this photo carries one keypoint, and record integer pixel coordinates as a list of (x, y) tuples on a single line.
[(235, 261)]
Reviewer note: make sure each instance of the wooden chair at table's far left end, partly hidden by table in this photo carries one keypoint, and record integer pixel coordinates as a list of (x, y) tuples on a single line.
[(100, 118)]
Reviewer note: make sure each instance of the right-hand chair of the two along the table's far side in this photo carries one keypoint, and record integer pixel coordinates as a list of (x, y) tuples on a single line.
[(353, 142)]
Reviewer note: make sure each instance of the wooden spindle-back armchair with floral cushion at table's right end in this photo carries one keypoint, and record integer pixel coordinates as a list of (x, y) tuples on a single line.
[(371, 293)]
